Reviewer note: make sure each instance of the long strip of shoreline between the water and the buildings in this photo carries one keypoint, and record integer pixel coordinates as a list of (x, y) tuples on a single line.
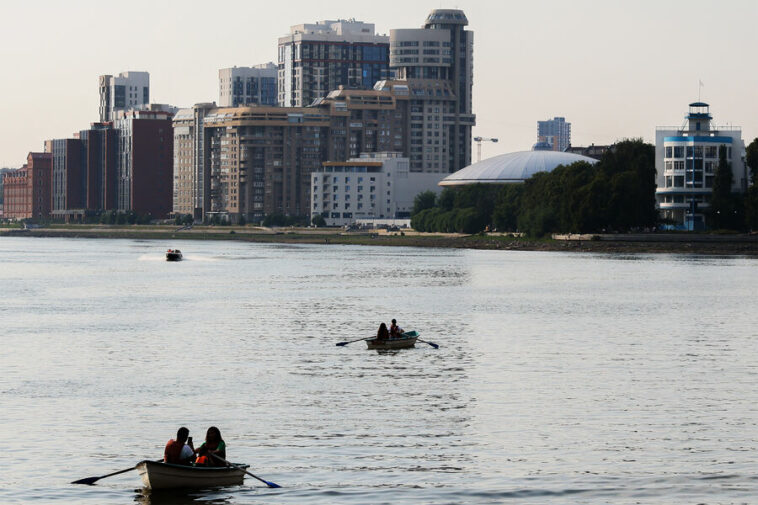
[(653, 243)]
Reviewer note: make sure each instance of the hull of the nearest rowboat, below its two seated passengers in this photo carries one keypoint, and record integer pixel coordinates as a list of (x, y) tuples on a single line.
[(158, 475)]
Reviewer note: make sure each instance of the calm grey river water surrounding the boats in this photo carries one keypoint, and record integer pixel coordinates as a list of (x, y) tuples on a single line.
[(561, 378)]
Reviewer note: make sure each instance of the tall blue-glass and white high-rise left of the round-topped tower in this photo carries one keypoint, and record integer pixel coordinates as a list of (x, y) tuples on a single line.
[(315, 59)]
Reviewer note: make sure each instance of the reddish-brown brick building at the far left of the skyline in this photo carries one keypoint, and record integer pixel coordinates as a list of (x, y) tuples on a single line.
[(26, 191)]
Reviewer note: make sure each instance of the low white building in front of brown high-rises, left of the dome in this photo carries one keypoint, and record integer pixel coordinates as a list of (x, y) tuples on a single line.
[(374, 186)]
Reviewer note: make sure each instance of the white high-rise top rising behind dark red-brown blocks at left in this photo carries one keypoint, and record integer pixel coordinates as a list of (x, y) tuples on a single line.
[(127, 90)]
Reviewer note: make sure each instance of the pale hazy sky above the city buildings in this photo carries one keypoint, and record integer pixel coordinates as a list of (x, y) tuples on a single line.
[(613, 69)]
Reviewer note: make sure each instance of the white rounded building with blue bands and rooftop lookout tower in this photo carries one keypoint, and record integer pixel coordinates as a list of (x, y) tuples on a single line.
[(686, 161)]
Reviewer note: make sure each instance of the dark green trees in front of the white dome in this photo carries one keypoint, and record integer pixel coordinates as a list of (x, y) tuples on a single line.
[(615, 194)]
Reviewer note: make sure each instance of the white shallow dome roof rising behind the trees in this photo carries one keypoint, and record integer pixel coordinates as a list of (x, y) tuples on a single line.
[(512, 167)]
